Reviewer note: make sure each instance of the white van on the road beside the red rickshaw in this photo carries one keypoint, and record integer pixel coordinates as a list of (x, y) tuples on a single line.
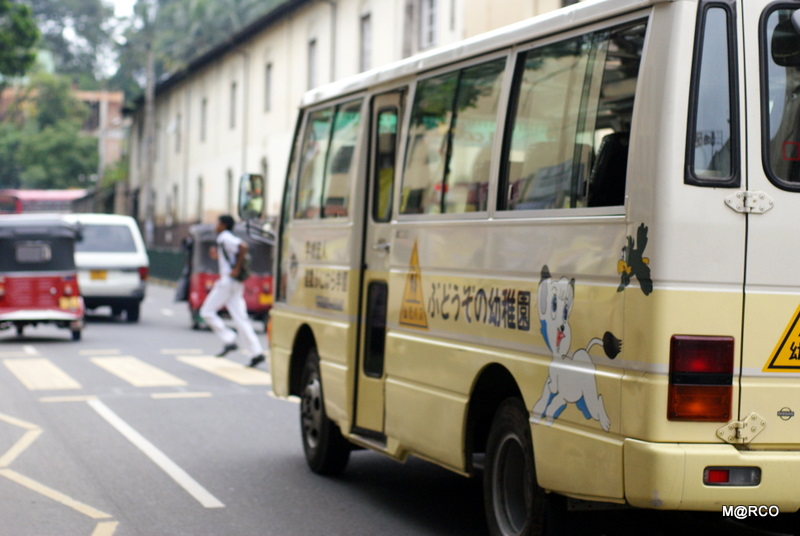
[(112, 263)]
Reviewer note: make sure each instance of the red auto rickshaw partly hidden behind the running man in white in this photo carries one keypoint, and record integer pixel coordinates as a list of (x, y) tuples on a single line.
[(202, 270)]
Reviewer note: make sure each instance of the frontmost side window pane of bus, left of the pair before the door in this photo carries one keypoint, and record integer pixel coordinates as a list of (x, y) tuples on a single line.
[(312, 164)]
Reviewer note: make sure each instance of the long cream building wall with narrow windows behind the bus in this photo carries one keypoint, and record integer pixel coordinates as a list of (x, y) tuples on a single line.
[(204, 172)]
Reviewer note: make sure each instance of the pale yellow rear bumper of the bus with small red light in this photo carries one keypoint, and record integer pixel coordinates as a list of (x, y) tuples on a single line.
[(670, 476)]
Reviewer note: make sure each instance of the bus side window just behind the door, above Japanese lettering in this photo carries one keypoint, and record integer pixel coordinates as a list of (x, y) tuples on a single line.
[(450, 141)]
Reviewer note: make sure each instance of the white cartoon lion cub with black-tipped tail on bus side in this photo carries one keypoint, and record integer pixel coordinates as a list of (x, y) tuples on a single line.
[(571, 378)]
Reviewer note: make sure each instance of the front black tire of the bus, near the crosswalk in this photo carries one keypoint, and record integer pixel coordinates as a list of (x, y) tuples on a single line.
[(327, 452)]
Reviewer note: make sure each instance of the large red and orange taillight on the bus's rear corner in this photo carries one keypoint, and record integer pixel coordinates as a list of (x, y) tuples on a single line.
[(700, 378)]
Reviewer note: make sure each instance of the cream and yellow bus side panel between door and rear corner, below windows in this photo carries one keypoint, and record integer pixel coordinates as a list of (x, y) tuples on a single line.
[(466, 295)]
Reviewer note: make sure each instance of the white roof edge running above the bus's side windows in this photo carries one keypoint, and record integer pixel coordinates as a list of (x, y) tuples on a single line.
[(574, 15)]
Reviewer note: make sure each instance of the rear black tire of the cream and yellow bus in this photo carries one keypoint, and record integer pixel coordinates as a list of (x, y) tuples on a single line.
[(515, 504)]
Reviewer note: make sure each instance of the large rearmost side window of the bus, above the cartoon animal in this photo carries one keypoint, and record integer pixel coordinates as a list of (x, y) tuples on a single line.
[(571, 116)]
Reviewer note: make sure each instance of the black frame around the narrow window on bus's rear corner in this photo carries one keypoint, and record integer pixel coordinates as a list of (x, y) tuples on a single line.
[(734, 179)]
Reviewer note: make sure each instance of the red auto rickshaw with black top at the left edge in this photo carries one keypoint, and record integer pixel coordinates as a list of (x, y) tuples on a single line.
[(38, 278)]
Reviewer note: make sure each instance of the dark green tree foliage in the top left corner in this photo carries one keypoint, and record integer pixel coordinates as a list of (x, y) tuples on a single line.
[(18, 35)]
